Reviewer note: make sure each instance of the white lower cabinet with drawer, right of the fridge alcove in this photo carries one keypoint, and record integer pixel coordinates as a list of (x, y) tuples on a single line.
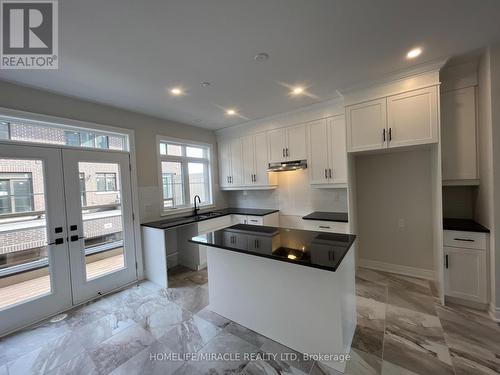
[(465, 266)]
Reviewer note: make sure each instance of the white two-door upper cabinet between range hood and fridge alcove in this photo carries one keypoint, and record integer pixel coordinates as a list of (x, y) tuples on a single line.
[(327, 155)]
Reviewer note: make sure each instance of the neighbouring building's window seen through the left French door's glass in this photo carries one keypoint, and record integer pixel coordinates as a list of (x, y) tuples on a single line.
[(16, 193)]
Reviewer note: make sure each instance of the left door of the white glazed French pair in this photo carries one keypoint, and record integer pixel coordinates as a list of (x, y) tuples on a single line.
[(34, 272)]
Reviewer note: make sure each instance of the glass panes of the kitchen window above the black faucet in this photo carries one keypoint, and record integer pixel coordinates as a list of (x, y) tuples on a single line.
[(185, 173)]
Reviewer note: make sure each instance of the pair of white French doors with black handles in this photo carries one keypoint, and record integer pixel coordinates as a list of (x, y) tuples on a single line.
[(66, 229)]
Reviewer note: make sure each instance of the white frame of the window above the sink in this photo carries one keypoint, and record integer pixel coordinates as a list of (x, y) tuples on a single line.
[(185, 160)]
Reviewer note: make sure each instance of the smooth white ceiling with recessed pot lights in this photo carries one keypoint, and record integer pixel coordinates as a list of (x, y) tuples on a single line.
[(128, 53)]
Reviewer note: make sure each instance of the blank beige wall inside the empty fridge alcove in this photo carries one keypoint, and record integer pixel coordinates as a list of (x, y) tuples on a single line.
[(394, 208)]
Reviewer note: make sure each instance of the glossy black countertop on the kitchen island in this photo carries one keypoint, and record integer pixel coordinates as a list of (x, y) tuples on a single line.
[(306, 248)]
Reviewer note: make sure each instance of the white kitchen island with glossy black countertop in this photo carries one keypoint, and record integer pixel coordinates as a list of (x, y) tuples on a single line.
[(296, 287)]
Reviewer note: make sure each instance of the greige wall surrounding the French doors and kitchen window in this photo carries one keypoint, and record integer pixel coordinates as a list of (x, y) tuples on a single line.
[(146, 128)]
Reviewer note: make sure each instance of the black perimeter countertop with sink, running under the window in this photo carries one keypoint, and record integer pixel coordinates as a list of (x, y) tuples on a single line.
[(191, 219)]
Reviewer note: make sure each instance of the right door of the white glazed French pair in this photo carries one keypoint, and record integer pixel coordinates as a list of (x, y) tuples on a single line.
[(100, 224)]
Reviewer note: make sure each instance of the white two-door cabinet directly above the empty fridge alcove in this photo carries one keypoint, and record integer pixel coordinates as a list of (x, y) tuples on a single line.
[(406, 119)]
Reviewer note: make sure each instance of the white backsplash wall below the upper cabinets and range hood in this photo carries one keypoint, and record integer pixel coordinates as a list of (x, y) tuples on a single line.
[(294, 196)]
